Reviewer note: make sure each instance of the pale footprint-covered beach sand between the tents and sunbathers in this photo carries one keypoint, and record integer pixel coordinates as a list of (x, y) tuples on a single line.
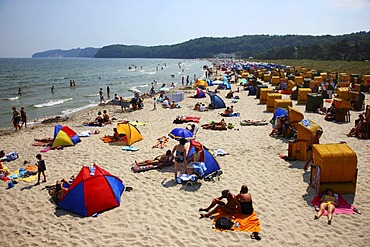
[(159, 212)]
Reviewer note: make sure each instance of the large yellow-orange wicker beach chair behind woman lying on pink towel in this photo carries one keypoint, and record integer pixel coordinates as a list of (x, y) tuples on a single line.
[(335, 167)]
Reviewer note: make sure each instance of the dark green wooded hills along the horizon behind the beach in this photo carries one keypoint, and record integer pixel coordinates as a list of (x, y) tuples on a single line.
[(355, 46)]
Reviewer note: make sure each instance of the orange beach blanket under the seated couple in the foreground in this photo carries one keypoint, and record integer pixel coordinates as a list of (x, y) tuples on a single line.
[(247, 223)]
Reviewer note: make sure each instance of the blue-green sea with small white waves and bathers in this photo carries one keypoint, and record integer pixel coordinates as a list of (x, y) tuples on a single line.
[(124, 76)]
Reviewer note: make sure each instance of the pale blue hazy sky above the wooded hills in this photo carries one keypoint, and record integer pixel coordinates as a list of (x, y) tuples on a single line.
[(30, 26)]
